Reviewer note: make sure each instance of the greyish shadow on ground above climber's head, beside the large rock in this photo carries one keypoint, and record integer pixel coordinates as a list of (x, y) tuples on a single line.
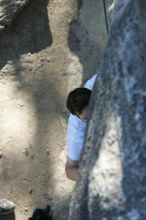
[(87, 35)]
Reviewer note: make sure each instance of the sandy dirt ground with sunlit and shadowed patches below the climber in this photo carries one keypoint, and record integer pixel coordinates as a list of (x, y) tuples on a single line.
[(49, 49)]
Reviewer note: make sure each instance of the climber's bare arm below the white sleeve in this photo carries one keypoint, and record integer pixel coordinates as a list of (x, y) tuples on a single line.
[(71, 169)]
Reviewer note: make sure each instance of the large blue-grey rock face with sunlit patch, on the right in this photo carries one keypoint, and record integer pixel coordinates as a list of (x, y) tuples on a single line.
[(111, 184)]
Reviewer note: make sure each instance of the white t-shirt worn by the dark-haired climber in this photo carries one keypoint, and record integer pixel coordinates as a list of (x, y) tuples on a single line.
[(76, 130)]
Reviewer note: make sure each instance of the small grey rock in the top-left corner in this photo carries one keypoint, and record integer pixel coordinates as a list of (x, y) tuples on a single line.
[(9, 9)]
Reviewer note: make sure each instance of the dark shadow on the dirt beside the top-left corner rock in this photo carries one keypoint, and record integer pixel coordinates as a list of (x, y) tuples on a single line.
[(29, 33)]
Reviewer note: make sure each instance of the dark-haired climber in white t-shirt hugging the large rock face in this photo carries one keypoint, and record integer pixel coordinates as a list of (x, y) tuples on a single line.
[(77, 103)]
